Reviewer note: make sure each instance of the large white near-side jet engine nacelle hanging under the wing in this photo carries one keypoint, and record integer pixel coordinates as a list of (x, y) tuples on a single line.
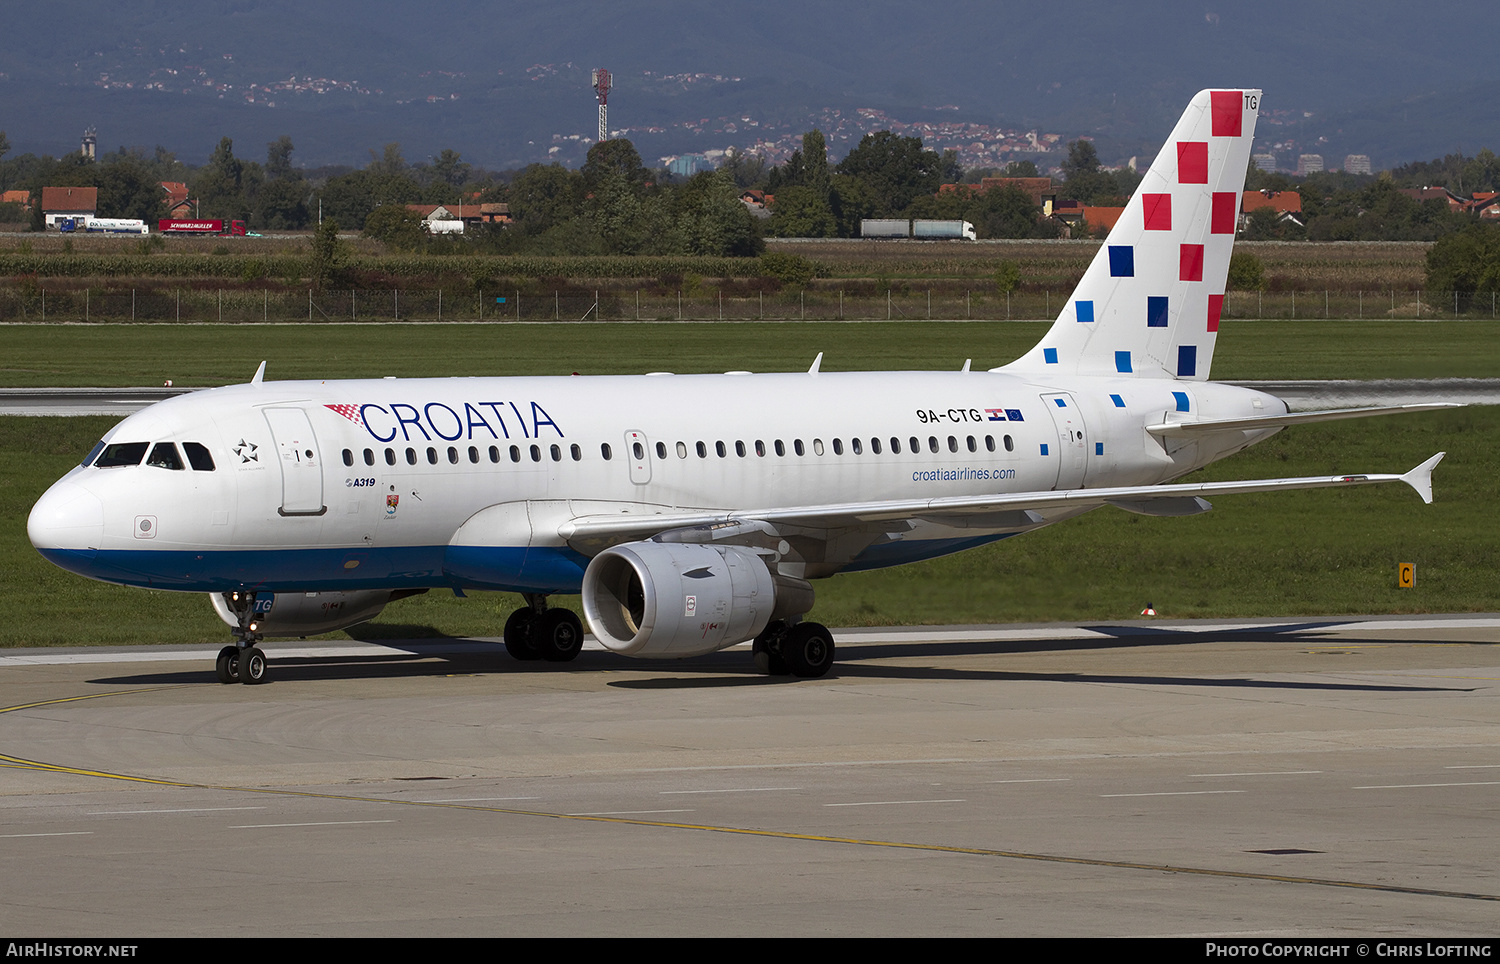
[(670, 600)]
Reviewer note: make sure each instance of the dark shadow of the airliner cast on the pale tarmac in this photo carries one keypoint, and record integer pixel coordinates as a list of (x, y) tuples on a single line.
[(439, 657)]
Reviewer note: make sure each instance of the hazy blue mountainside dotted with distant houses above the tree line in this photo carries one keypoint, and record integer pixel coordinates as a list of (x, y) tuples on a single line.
[(509, 83)]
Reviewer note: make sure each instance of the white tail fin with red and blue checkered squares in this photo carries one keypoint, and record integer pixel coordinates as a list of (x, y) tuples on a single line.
[(1150, 304)]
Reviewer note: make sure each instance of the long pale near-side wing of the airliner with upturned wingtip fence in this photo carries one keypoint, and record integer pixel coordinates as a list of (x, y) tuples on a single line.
[(989, 512)]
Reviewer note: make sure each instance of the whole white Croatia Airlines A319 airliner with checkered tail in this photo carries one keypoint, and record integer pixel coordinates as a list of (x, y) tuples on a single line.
[(692, 512)]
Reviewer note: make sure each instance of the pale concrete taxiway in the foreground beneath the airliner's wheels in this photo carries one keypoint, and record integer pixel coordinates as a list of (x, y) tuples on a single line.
[(1169, 779)]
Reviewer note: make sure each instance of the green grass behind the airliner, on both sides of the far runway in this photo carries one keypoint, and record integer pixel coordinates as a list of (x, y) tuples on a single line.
[(1256, 555)]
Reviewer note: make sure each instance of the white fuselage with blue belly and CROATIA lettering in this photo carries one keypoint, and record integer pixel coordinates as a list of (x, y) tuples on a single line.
[(385, 483)]
